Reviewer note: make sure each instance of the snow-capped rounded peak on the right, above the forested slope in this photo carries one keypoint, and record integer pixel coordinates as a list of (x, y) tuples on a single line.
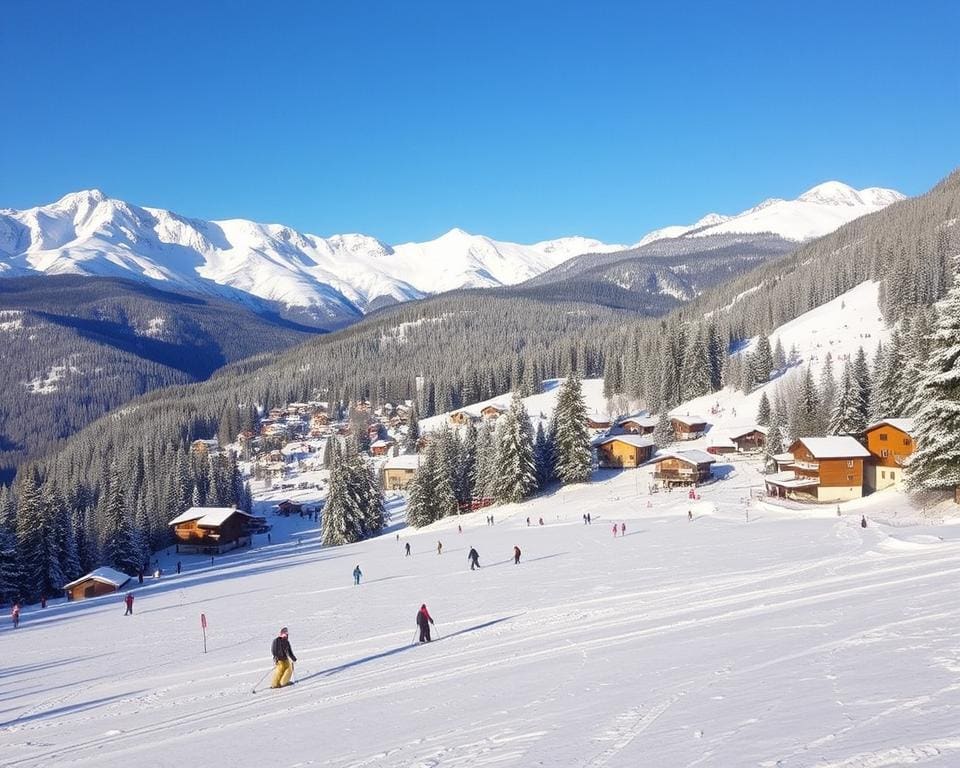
[(817, 212)]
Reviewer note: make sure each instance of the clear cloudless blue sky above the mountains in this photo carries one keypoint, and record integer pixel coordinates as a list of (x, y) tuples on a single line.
[(520, 120)]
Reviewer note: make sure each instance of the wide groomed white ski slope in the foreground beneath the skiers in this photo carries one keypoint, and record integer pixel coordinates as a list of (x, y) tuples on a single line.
[(788, 640)]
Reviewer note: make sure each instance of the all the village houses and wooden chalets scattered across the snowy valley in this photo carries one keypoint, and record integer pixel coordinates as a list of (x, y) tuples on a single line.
[(291, 439)]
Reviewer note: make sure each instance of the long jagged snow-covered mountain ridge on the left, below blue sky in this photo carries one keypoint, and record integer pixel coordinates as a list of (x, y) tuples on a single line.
[(332, 278)]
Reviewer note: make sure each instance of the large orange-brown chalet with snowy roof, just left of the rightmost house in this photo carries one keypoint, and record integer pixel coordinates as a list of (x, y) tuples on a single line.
[(825, 469)]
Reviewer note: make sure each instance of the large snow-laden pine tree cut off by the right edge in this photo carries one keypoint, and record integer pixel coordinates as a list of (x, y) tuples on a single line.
[(936, 462)]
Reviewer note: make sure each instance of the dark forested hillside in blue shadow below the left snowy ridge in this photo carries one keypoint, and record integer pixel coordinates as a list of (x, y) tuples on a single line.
[(76, 347)]
